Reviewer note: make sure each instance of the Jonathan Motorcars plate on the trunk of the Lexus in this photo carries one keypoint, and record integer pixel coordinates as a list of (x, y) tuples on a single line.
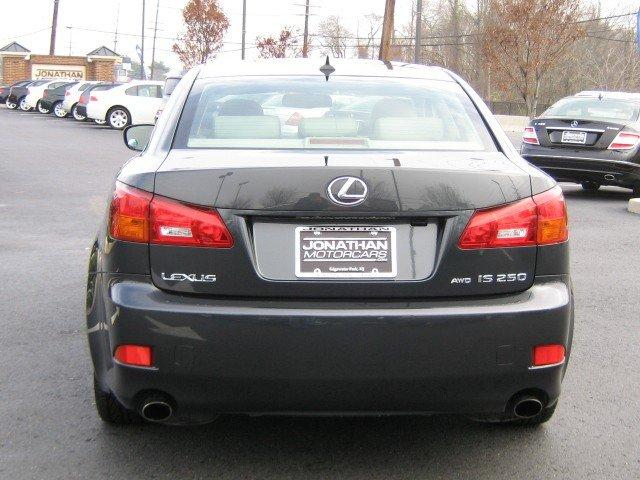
[(345, 252)]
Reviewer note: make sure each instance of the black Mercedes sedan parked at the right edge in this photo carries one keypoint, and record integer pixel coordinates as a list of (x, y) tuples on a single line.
[(592, 138)]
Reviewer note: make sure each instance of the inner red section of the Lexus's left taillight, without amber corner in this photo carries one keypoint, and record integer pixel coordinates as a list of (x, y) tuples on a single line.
[(174, 223)]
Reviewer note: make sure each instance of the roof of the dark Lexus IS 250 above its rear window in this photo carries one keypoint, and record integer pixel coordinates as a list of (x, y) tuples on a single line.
[(311, 66)]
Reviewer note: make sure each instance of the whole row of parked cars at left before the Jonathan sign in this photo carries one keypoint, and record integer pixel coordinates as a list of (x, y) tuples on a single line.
[(116, 104)]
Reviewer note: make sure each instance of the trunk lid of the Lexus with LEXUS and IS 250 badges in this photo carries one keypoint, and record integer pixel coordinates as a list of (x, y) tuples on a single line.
[(274, 202)]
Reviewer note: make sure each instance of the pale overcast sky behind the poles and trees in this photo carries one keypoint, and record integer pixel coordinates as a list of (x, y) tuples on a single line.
[(93, 22)]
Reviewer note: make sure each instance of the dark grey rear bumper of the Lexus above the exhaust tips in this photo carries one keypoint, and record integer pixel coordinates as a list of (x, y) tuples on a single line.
[(256, 356)]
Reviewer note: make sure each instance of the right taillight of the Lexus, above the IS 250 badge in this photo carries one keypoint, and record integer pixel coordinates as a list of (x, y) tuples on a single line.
[(540, 220)]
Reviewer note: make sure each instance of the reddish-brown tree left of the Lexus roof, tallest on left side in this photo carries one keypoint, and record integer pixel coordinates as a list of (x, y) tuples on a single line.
[(206, 25)]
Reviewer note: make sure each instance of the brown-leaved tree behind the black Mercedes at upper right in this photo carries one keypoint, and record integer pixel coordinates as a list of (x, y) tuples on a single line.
[(523, 40)]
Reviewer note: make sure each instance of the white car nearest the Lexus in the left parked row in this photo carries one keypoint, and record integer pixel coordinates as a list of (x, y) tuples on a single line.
[(132, 103)]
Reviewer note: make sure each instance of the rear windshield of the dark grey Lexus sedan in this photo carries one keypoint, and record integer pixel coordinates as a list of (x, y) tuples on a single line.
[(342, 113)]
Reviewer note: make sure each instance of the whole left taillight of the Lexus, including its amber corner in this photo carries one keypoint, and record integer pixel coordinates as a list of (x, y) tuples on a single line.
[(138, 216)]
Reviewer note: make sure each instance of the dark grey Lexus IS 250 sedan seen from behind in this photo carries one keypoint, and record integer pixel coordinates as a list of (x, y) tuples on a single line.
[(302, 262)]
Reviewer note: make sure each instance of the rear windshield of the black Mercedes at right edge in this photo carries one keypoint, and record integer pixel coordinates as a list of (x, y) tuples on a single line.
[(594, 109)]
